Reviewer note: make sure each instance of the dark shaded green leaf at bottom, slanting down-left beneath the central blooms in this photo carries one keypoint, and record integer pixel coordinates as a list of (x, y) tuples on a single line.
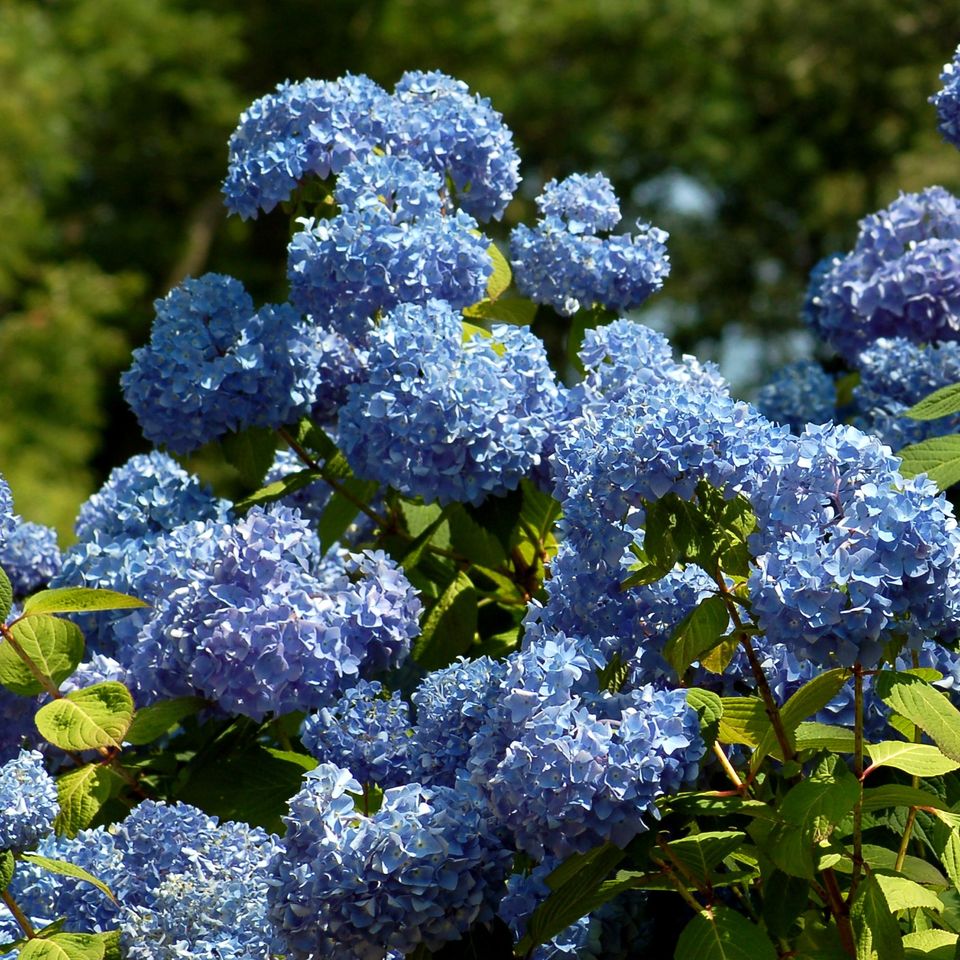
[(575, 891)]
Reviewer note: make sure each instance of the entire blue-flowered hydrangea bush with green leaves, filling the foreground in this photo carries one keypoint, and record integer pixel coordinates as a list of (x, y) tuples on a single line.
[(486, 663)]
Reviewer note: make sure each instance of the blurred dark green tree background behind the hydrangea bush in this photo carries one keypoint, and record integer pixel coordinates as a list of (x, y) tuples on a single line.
[(757, 132)]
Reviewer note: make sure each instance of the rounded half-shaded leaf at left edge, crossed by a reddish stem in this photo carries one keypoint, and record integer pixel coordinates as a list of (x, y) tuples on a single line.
[(54, 646)]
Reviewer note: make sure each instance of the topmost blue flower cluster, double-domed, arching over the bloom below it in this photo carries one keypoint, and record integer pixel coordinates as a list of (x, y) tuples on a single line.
[(318, 128)]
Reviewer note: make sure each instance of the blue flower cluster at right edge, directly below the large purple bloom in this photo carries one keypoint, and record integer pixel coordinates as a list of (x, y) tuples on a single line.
[(896, 373)]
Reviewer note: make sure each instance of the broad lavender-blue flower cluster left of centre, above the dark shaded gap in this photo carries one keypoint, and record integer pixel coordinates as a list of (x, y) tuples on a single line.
[(252, 628)]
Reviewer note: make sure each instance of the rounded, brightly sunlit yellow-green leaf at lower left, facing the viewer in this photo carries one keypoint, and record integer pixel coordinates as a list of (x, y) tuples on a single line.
[(88, 719)]
